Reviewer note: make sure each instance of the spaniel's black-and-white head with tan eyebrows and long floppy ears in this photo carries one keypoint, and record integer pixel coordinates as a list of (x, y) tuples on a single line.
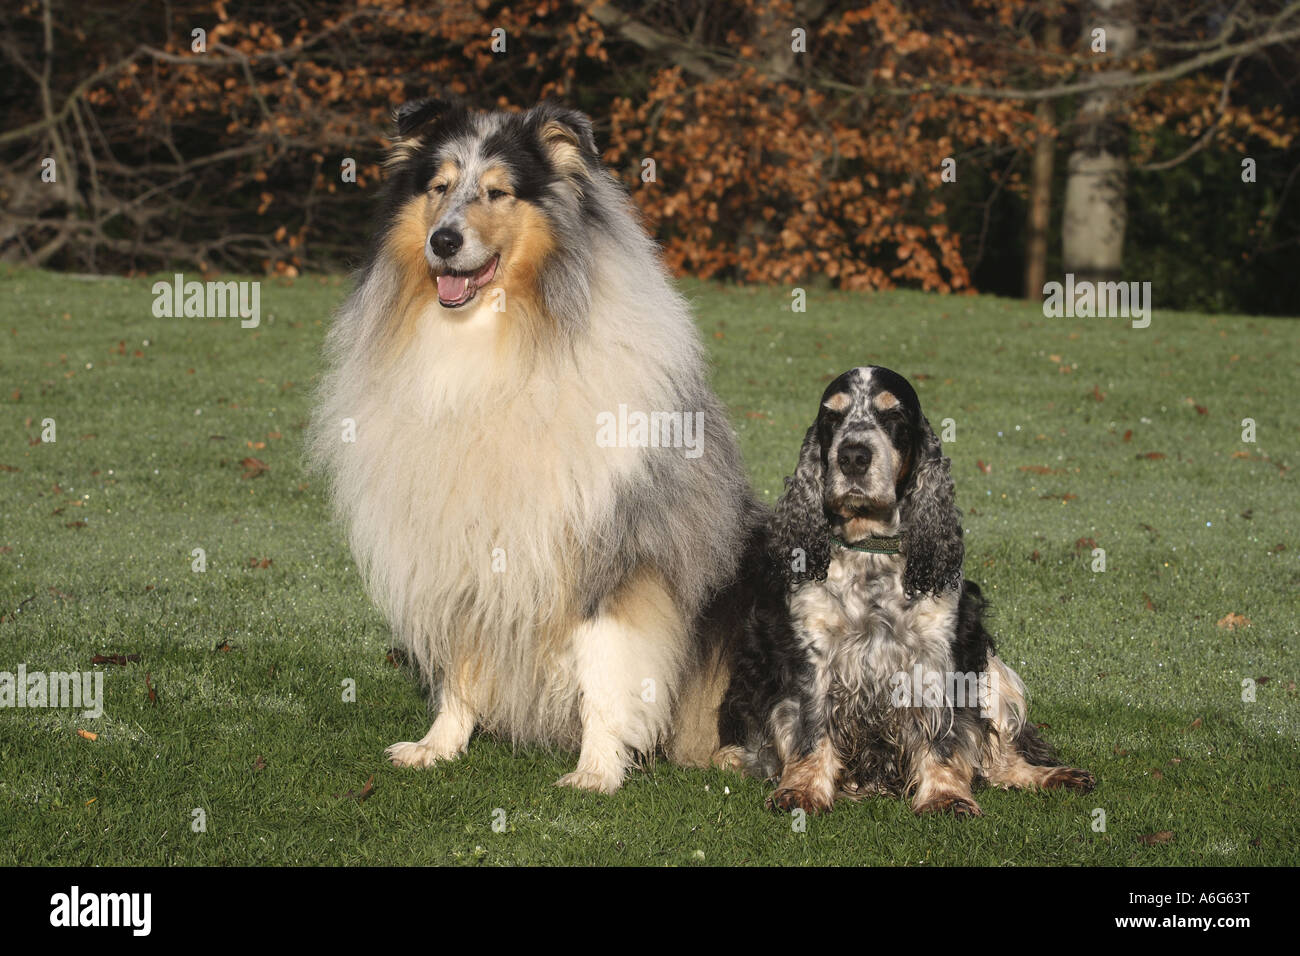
[(872, 469)]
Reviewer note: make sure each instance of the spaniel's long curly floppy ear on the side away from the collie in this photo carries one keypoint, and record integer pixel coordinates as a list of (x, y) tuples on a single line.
[(931, 525)]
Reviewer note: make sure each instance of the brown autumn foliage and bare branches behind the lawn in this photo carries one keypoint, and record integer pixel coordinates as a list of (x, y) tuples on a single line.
[(772, 166)]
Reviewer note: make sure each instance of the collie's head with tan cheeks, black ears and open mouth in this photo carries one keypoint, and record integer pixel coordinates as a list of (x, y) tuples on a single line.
[(495, 209)]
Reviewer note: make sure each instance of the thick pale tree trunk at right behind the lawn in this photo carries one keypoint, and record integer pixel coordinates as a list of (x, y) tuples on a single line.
[(1095, 217)]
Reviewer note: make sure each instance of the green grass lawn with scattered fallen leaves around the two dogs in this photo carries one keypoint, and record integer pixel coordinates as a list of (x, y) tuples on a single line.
[(1128, 668)]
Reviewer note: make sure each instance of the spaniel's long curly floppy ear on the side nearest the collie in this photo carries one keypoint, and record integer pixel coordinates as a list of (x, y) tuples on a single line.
[(801, 538)]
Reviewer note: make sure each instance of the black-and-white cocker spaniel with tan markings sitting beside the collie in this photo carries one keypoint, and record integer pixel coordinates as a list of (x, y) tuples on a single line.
[(868, 668)]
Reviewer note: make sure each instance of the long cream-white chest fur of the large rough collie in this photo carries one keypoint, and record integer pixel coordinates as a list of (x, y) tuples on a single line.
[(475, 473)]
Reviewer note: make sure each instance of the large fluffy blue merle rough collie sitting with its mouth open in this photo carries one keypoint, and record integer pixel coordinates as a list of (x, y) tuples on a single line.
[(540, 490)]
